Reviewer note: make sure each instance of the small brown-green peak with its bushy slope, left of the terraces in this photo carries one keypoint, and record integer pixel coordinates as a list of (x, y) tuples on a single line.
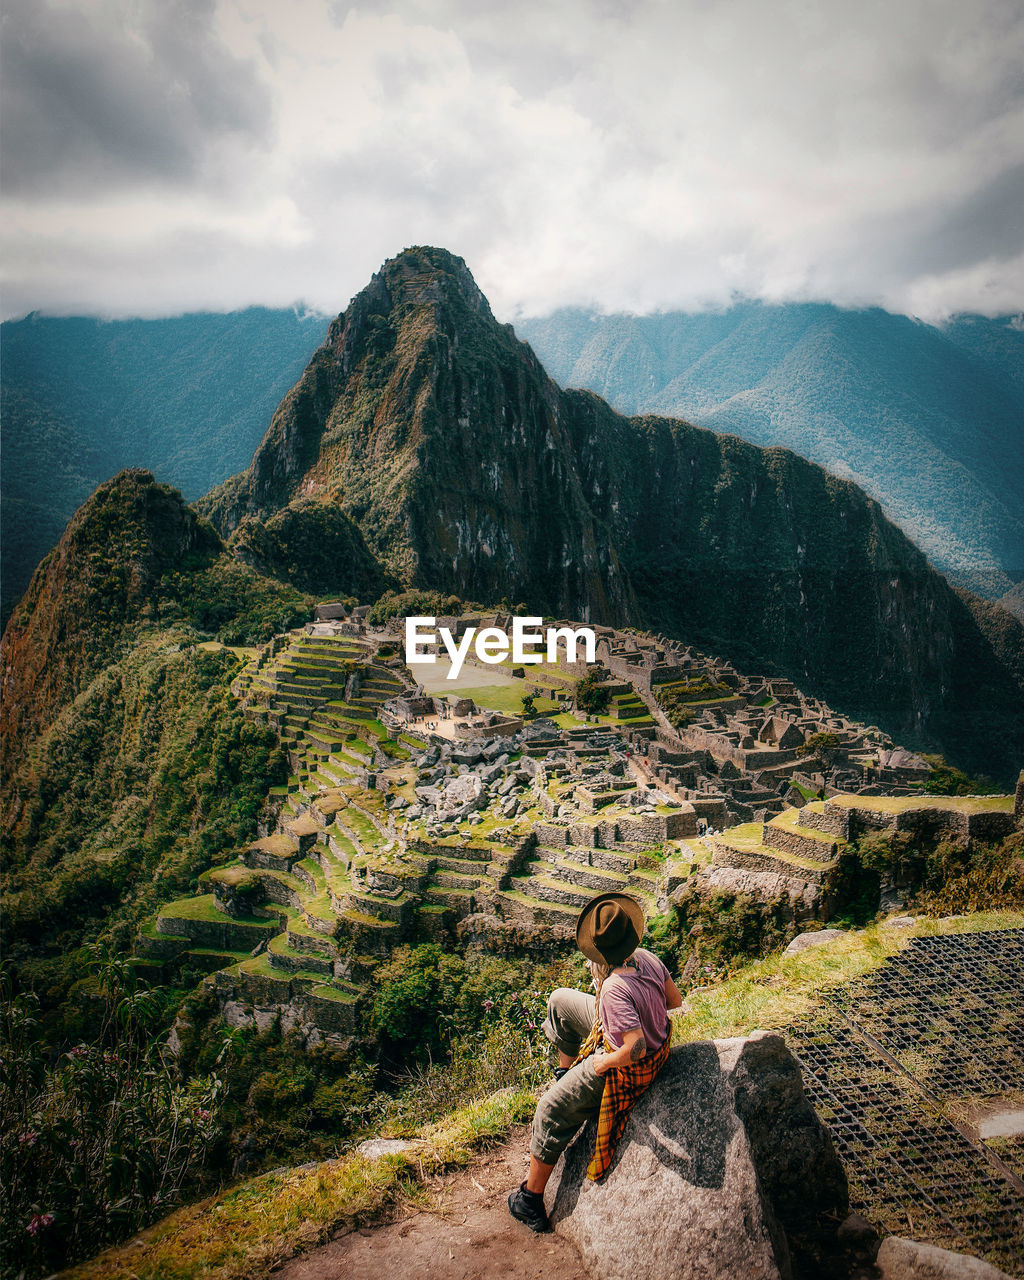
[(129, 767)]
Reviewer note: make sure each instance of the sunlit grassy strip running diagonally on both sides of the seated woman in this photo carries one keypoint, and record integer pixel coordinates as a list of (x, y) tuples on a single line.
[(249, 1229)]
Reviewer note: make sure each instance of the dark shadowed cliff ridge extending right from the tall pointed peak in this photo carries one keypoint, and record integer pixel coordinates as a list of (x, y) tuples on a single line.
[(766, 557)]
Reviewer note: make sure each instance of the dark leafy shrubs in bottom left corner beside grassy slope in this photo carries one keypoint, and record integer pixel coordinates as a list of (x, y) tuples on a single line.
[(102, 1141)]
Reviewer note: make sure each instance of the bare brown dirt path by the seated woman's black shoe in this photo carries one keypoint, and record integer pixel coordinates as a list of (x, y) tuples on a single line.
[(468, 1235)]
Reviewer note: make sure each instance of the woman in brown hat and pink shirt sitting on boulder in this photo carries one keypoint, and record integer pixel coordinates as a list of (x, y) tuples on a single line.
[(611, 1046)]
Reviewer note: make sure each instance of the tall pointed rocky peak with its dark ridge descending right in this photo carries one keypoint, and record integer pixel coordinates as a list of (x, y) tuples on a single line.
[(468, 470)]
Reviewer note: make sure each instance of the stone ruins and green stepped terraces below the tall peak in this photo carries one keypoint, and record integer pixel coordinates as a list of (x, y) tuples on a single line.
[(383, 835)]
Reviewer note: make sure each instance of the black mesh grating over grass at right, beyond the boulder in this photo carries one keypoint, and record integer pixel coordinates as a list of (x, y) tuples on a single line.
[(952, 1012)]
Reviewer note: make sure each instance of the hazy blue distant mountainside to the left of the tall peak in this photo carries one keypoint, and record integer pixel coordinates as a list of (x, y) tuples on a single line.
[(189, 399)]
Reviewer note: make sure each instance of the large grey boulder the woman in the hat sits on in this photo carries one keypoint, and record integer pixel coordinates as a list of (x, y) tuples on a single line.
[(723, 1173)]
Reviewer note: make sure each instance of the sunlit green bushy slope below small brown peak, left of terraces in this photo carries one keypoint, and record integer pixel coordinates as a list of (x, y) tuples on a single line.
[(149, 778)]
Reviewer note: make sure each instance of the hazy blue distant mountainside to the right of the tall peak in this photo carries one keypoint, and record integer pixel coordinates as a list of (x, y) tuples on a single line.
[(927, 420)]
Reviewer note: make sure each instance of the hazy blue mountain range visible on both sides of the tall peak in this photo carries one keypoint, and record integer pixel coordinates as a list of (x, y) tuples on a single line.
[(930, 422)]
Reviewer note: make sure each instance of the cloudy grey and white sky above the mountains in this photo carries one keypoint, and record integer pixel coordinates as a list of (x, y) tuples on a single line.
[(168, 156)]
